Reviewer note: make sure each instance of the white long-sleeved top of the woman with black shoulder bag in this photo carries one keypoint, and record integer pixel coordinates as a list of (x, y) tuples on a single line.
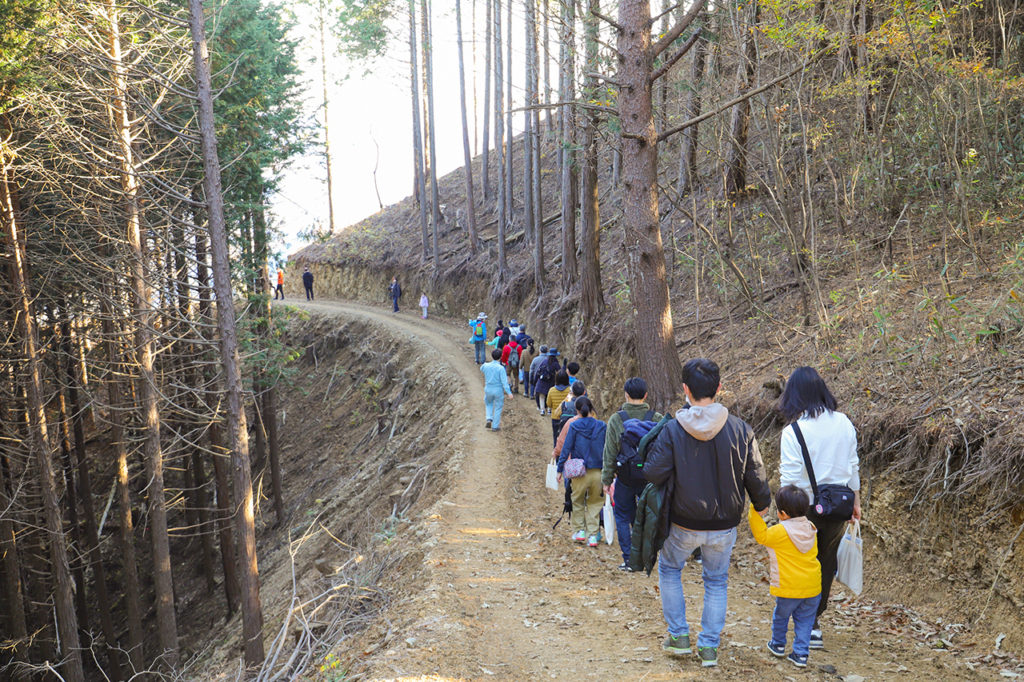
[(832, 442)]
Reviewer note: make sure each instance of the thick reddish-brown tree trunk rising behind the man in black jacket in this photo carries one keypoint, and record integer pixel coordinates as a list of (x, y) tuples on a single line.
[(653, 326)]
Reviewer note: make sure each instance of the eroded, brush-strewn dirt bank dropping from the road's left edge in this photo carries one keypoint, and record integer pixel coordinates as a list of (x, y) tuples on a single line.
[(367, 446)]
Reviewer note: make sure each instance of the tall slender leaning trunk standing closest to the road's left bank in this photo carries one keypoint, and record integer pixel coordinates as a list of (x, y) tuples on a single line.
[(238, 434)]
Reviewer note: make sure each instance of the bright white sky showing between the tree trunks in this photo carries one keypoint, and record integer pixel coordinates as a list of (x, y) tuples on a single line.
[(373, 104)]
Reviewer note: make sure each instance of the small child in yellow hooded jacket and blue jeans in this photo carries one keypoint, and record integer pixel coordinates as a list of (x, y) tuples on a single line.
[(796, 574)]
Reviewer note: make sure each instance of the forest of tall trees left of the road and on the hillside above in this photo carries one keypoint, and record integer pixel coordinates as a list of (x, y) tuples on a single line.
[(843, 178)]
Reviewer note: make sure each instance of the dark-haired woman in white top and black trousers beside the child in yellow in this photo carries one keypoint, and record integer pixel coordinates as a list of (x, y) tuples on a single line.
[(832, 443)]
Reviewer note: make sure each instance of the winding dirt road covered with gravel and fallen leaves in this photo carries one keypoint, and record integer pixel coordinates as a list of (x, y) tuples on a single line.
[(508, 599)]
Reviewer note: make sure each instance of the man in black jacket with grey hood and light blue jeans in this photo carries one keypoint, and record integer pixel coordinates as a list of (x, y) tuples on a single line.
[(713, 459)]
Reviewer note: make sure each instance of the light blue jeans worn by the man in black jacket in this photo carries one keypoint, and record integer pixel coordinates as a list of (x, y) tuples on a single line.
[(716, 547)]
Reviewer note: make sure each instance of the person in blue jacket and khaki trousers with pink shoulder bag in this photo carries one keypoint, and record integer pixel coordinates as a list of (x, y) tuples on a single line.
[(585, 441)]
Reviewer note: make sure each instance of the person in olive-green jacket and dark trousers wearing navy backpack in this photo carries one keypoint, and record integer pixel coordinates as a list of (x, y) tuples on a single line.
[(626, 492)]
